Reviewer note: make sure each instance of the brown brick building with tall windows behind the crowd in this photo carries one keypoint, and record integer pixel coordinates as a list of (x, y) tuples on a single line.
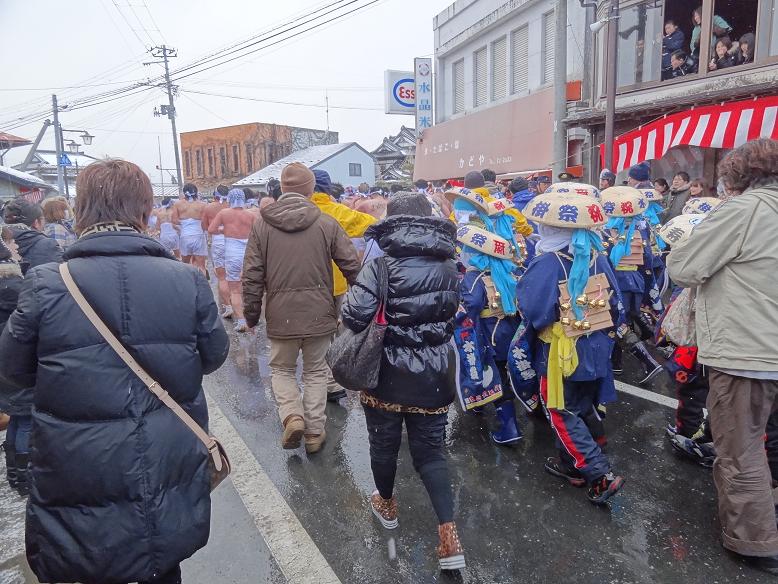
[(226, 155)]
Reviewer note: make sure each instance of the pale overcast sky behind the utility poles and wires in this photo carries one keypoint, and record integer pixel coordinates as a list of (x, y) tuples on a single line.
[(54, 44)]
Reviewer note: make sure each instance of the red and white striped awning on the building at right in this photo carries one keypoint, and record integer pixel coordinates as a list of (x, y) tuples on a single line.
[(728, 125)]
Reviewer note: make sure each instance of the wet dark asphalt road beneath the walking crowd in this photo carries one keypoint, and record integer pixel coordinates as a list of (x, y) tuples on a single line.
[(517, 523)]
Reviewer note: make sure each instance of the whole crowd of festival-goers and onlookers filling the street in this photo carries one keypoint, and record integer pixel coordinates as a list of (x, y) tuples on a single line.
[(505, 298)]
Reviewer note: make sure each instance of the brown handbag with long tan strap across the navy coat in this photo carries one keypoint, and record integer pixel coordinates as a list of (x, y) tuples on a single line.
[(218, 463)]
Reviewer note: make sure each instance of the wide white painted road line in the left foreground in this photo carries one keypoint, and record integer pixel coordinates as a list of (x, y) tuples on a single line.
[(298, 558)]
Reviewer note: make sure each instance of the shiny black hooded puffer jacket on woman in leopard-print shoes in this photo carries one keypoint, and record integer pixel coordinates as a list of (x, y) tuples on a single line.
[(417, 366)]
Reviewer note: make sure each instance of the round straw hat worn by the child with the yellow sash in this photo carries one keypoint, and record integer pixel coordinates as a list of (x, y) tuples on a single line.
[(569, 210)]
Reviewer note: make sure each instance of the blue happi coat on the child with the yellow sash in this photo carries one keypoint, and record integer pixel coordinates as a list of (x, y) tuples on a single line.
[(539, 305)]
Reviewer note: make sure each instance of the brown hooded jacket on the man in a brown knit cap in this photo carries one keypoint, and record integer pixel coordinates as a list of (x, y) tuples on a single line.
[(289, 257)]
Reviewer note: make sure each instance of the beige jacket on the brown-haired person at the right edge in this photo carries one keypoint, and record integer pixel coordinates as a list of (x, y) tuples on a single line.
[(733, 257)]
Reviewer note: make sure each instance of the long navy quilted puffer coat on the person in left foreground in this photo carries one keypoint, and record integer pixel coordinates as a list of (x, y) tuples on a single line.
[(119, 485)]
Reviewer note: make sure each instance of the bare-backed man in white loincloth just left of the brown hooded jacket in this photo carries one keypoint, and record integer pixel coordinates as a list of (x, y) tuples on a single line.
[(235, 223)]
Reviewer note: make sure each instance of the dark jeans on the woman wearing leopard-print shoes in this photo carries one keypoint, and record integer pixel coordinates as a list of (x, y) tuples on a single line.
[(426, 435)]
